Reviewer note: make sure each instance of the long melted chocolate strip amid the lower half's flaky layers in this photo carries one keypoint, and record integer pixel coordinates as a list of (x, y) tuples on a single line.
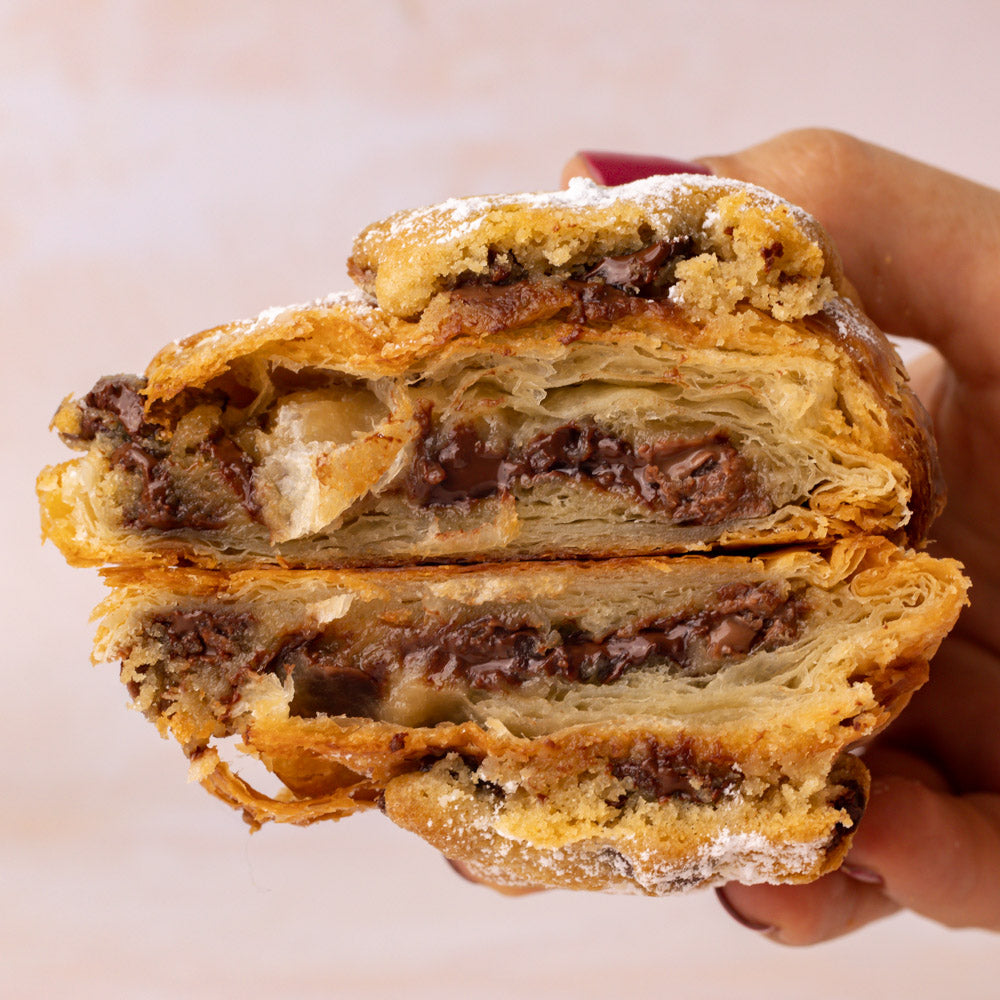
[(335, 675)]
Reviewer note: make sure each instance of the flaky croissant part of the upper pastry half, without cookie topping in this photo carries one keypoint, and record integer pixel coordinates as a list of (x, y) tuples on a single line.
[(334, 436)]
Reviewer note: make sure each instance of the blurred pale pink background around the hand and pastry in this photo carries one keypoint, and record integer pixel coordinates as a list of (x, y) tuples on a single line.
[(168, 166)]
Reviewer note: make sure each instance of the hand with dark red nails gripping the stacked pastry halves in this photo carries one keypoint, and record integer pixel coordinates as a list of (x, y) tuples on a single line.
[(921, 246)]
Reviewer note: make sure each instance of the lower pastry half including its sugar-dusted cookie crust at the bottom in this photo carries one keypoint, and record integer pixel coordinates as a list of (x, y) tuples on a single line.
[(644, 724)]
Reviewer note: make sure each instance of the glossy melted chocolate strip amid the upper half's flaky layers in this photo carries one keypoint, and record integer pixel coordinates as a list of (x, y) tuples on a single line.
[(701, 480)]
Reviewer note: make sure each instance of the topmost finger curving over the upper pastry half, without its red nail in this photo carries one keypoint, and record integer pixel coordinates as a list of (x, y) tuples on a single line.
[(919, 244)]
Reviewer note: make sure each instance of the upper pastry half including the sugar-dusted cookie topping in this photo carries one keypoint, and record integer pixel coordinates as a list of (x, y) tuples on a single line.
[(664, 367)]
